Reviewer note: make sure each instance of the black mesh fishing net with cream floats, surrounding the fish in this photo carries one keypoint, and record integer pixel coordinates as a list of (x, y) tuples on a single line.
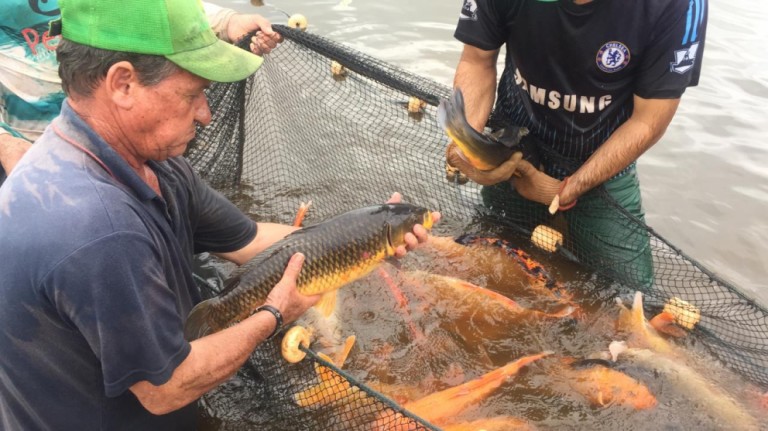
[(324, 123)]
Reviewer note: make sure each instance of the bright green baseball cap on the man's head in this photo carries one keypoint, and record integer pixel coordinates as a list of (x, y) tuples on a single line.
[(175, 29)]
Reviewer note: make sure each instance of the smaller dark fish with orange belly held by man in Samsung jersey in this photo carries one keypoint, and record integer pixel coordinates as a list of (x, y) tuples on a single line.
[(484, 152)]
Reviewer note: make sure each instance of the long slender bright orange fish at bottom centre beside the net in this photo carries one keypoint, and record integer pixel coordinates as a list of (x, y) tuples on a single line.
[(442, 406)]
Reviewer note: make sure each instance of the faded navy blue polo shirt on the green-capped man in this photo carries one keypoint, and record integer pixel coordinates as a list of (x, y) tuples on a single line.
[(96, 280)]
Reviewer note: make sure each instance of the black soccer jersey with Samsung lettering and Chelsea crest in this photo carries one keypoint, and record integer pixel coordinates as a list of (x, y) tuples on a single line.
[(571, 70)]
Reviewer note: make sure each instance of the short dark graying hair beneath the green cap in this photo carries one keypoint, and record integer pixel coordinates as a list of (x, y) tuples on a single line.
[(82, 67)]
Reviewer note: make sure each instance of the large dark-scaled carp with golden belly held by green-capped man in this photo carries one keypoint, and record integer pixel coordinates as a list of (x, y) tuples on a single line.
[(337, 251)]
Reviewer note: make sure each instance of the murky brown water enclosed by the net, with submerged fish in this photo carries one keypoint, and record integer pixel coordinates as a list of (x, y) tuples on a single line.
[(421, 329)]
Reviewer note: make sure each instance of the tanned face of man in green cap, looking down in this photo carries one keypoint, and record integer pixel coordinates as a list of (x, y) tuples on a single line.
[(167, 113)]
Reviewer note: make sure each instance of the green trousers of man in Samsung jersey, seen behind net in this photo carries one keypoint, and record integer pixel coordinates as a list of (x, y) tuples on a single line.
[(605, 231)]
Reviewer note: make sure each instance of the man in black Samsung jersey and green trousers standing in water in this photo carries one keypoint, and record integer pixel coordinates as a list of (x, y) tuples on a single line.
[(596, 82)]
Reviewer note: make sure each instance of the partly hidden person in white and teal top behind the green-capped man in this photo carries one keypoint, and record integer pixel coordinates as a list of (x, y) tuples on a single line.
[(30, 89)]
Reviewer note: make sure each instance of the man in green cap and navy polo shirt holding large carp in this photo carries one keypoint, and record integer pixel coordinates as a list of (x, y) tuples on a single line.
[(100, 220)]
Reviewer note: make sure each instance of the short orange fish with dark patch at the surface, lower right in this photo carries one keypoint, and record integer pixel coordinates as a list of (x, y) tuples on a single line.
[(602, 385)]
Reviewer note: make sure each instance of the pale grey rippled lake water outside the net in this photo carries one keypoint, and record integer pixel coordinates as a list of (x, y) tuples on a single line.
[(705, 184)]
